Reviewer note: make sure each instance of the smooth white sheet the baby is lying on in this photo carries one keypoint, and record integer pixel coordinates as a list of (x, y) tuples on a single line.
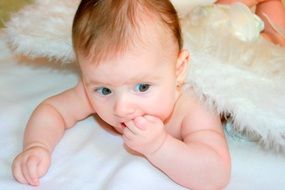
[(90, 156)]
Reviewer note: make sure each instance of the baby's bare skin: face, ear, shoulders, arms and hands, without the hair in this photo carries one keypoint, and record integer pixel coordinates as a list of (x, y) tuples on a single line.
[(147, 105)]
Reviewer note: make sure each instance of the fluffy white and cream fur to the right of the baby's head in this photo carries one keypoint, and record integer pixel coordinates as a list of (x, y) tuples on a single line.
[(238, 72)]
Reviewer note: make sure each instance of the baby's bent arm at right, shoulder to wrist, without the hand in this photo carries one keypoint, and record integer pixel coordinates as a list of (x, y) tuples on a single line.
[(201, 160)]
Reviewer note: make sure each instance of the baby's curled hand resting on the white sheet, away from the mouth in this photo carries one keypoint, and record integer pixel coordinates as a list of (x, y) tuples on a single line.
[(31, 164)]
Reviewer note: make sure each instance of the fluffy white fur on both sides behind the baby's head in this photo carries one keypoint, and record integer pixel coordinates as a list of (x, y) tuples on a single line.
[(242, 78)]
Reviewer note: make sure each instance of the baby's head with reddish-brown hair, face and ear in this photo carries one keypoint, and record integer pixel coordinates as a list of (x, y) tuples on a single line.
[(131, 58)]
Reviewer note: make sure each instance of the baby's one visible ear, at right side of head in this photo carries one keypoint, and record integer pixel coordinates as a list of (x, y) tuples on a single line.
[(182, 65)]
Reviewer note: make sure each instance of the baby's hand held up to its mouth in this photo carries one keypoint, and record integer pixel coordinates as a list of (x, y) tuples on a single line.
[(144, 134)]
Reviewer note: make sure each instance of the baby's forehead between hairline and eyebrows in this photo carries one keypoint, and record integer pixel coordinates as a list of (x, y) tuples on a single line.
[(147, 56)]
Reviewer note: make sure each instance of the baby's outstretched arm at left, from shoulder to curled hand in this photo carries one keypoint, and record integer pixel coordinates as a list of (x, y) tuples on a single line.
[(45, 128)]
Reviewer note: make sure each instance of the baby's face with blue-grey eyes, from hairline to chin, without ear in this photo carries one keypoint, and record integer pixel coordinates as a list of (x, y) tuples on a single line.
[(137, 83)]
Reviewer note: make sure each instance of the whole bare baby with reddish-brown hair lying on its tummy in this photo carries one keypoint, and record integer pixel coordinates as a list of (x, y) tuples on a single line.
[(133, 69)]
